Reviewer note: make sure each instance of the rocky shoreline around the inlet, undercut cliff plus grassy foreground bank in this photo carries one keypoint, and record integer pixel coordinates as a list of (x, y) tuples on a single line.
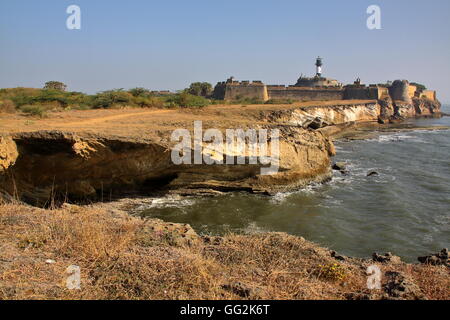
[(169, 260)]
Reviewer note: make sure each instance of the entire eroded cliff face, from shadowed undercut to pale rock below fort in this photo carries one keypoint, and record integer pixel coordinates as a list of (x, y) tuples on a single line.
[(42, 165)]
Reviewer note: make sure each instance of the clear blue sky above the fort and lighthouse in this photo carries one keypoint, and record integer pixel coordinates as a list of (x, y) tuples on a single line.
[(169, 44)]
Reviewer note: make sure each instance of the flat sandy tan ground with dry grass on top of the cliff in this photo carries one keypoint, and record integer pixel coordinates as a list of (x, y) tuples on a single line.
[(142, 122)]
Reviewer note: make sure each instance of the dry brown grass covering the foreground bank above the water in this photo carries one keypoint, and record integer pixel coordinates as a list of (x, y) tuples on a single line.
[(123, 257)]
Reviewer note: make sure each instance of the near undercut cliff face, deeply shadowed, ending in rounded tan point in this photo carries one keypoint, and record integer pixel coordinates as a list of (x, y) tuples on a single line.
[(54, 164)]
